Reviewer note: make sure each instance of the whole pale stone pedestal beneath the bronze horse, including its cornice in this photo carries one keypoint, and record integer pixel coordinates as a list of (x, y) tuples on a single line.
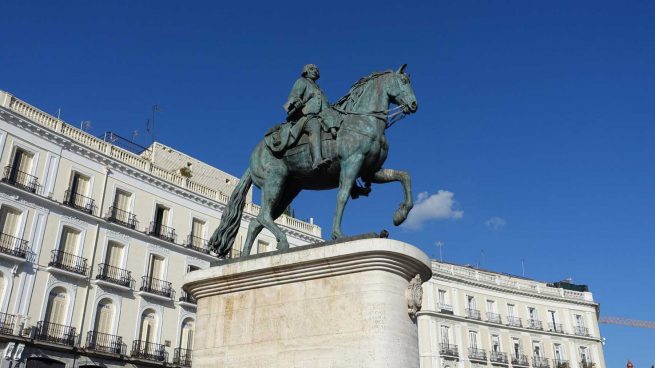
[(338, 306)]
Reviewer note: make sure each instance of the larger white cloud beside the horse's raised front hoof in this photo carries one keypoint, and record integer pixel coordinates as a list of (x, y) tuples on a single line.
[(437, 206)]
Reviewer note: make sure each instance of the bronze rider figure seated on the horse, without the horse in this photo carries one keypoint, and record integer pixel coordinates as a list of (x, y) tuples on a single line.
[(305, 103)]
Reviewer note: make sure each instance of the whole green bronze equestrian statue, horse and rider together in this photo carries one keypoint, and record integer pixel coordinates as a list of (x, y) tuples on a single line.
[(321, 146)]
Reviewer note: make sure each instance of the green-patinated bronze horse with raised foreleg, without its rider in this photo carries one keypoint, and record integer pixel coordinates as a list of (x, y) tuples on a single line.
[(359, 150)]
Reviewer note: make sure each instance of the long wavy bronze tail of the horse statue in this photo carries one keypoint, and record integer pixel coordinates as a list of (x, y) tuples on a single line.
[(223, 238)]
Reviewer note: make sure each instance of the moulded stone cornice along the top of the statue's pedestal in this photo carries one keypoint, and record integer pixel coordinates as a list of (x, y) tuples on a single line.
[(310, 262)]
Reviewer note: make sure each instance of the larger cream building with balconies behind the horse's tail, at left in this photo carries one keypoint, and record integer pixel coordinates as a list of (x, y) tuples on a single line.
[(95, 240)]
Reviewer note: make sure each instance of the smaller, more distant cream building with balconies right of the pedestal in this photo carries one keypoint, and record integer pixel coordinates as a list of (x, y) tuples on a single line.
[(475, 318)]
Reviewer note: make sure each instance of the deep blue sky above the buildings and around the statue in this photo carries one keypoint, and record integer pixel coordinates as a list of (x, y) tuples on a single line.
[(540, 115)]
